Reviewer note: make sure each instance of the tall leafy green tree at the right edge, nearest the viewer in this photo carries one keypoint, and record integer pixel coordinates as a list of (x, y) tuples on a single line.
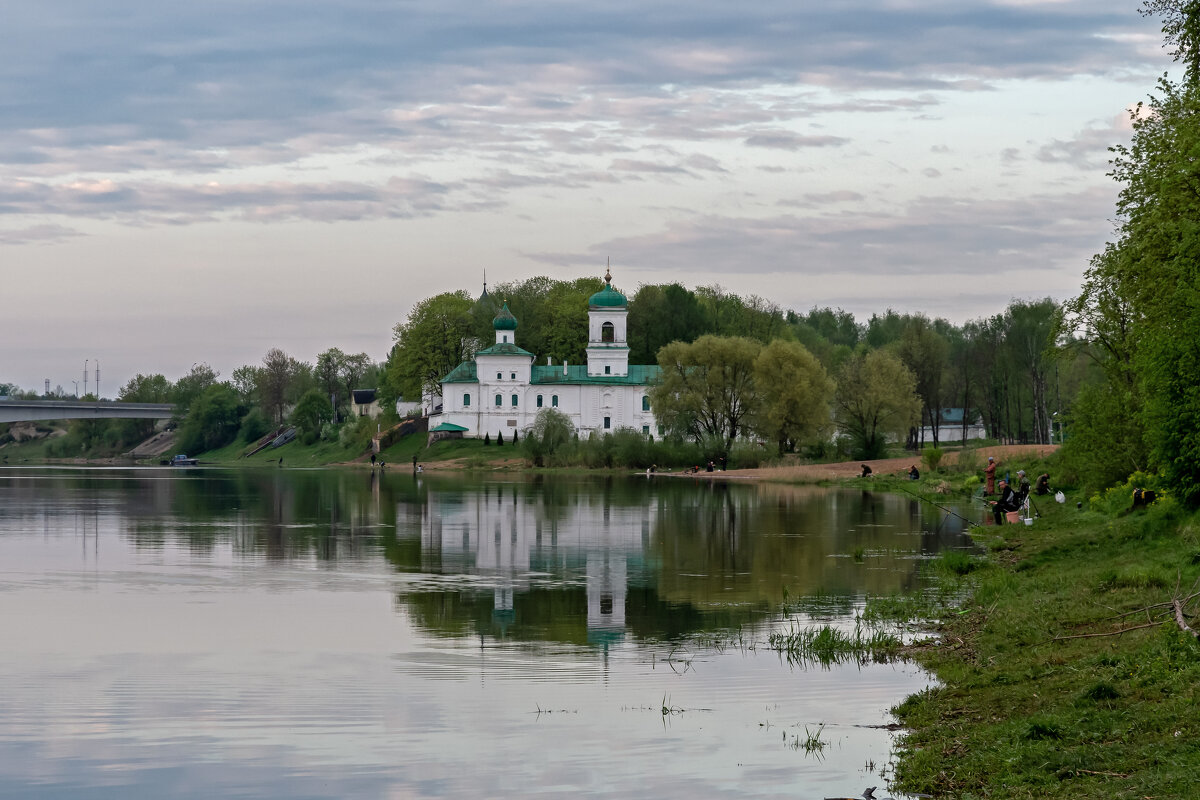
[(1142, 298)]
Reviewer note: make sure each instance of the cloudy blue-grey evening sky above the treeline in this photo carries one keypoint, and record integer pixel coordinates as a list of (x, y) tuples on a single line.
[(187, 183)]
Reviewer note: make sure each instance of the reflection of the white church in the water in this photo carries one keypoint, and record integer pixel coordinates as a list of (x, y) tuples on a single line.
[(514, 543)]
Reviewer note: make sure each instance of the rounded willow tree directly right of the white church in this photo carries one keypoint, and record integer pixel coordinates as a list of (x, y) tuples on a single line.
[(707, 387)]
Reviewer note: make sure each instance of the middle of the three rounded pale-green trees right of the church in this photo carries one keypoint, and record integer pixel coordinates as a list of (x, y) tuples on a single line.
[(794, 394)]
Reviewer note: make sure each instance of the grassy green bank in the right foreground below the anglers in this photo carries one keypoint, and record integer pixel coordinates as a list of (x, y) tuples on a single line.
[(1042, 696)]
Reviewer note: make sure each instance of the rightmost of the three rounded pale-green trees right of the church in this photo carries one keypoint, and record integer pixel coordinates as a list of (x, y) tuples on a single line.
[(877, 396)]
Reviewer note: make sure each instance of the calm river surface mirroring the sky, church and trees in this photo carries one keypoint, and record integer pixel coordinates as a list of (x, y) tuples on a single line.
[(321, 634)]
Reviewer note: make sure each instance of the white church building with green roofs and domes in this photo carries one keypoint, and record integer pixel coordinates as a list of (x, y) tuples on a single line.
[(501, 389)]
